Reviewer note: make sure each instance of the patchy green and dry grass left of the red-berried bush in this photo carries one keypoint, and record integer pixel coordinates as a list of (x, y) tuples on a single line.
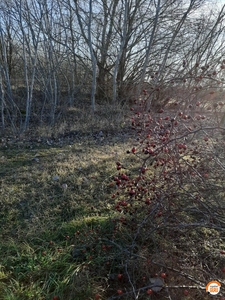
[(50, 190)]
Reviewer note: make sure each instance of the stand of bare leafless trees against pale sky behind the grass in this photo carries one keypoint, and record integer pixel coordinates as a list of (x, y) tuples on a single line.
[(56, 54)]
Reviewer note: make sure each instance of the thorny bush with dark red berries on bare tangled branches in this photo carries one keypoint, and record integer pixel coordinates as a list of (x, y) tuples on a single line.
[(171, 207)]
